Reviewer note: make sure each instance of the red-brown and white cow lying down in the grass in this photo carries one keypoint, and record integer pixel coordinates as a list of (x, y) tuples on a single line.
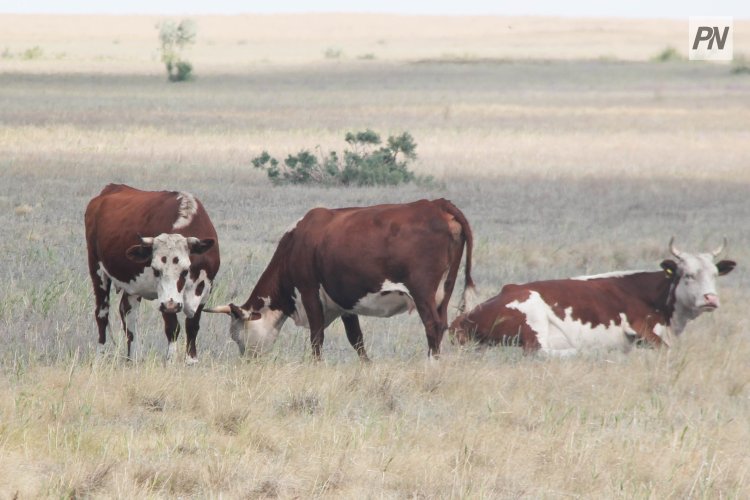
[(606, 311)]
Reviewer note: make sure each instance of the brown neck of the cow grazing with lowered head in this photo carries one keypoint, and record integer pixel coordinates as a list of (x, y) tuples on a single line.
[(273, 283)]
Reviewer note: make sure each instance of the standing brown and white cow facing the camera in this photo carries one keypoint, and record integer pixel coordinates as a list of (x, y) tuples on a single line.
[(154, 245)]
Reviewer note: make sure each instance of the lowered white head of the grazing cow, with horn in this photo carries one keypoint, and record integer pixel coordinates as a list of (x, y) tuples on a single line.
[(255, 331)]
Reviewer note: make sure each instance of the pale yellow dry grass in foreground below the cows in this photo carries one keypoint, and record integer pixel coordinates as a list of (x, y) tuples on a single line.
[(652, 424)]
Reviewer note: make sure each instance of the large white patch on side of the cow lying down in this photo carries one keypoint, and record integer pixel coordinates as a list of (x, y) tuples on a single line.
[(563, 337)]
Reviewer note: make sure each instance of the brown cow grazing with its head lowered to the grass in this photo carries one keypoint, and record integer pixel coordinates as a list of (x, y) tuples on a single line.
[(372, 261)]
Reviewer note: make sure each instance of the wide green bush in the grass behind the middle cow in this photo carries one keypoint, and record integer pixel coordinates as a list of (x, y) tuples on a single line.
[(361, 165)]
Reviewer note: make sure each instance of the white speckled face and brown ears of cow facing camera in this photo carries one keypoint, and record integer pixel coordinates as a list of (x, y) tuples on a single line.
[(168, 258)]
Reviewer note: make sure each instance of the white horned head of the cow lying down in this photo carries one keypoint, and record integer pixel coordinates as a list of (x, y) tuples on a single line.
[(694, 276)]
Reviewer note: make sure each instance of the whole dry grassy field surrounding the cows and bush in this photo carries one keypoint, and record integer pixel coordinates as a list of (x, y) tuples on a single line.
[(570, 154)]
